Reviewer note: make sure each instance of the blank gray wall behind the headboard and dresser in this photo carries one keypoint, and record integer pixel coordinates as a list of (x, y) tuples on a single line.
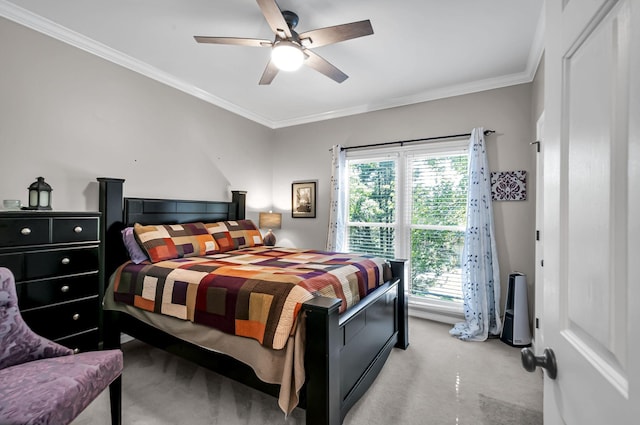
[(71, 117)]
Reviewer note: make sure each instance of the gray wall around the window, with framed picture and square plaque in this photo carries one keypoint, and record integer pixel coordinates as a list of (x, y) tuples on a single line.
[(302, 153)]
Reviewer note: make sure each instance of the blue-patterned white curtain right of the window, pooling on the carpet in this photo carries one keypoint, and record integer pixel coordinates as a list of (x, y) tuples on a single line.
[(480, 272)]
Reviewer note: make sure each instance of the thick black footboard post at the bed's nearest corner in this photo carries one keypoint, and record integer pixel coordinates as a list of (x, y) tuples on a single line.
[(323, 351)]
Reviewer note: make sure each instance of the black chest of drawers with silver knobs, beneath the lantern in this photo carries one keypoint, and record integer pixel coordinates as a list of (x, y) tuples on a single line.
[(54, 257)]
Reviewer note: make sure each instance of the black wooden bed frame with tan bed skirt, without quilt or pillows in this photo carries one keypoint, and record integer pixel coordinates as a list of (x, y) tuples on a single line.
[(328, 361)]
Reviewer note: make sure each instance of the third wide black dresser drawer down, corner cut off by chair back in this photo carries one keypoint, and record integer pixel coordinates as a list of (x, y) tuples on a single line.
[(62, 320)]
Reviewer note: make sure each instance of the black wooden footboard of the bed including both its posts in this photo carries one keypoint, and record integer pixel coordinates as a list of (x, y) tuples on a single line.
[(345, 353)]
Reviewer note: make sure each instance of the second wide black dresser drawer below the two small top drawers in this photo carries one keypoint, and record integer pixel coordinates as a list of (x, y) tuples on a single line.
[(53, 291)]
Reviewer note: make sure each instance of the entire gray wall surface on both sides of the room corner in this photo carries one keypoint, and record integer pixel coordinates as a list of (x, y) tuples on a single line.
[(71, 117)]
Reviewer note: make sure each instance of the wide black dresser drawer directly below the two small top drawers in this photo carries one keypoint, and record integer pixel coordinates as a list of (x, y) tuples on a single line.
[(60, 262)]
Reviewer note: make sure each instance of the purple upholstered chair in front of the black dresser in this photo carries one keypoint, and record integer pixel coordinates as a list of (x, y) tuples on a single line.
[(42, 382)]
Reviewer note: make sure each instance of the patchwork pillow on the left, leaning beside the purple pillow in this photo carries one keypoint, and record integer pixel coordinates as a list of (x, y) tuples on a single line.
[(169, 241)]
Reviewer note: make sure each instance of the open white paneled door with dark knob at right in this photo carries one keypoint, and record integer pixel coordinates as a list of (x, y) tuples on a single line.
[(592, 211)]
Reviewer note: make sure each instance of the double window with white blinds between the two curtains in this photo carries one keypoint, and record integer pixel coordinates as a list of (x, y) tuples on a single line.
[(412, 204)]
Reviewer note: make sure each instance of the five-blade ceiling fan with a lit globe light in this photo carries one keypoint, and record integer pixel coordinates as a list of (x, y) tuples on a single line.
[(289, 49)]
